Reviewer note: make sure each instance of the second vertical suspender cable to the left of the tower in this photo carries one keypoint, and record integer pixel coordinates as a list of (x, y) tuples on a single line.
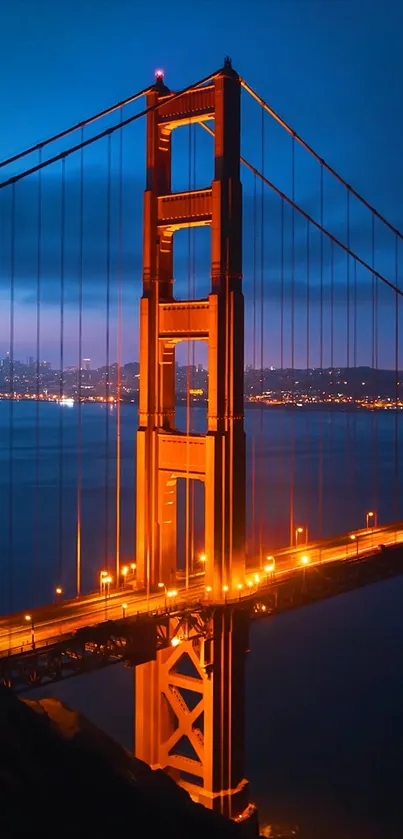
[(107, 350)]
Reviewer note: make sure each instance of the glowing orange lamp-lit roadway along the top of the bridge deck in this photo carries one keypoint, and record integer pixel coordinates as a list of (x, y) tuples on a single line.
[(51, 622)]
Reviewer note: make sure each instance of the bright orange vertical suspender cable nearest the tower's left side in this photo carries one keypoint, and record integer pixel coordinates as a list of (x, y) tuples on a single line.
[(119, 358)]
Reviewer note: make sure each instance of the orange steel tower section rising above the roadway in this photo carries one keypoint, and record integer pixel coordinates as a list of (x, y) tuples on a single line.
[(163, 453)]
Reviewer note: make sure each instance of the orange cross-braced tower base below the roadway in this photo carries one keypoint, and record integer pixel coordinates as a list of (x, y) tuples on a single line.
[(190, 712)]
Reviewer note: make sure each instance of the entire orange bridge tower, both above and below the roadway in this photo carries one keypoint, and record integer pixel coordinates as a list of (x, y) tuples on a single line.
[(190, 700)]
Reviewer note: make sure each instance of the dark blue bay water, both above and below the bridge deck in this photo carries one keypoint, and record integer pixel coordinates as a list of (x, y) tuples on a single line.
[(324, 685)]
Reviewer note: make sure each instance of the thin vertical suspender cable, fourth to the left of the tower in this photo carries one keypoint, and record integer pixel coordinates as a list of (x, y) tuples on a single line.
[(61, 375)]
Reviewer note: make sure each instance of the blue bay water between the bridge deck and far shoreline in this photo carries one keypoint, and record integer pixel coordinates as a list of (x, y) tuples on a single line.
[(348, 461)]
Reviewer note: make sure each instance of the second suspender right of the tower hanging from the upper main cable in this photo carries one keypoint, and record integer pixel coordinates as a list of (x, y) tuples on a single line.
[(292, 340)]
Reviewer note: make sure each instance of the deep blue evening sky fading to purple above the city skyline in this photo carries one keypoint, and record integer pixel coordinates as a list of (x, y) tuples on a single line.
[(332, 68)]
